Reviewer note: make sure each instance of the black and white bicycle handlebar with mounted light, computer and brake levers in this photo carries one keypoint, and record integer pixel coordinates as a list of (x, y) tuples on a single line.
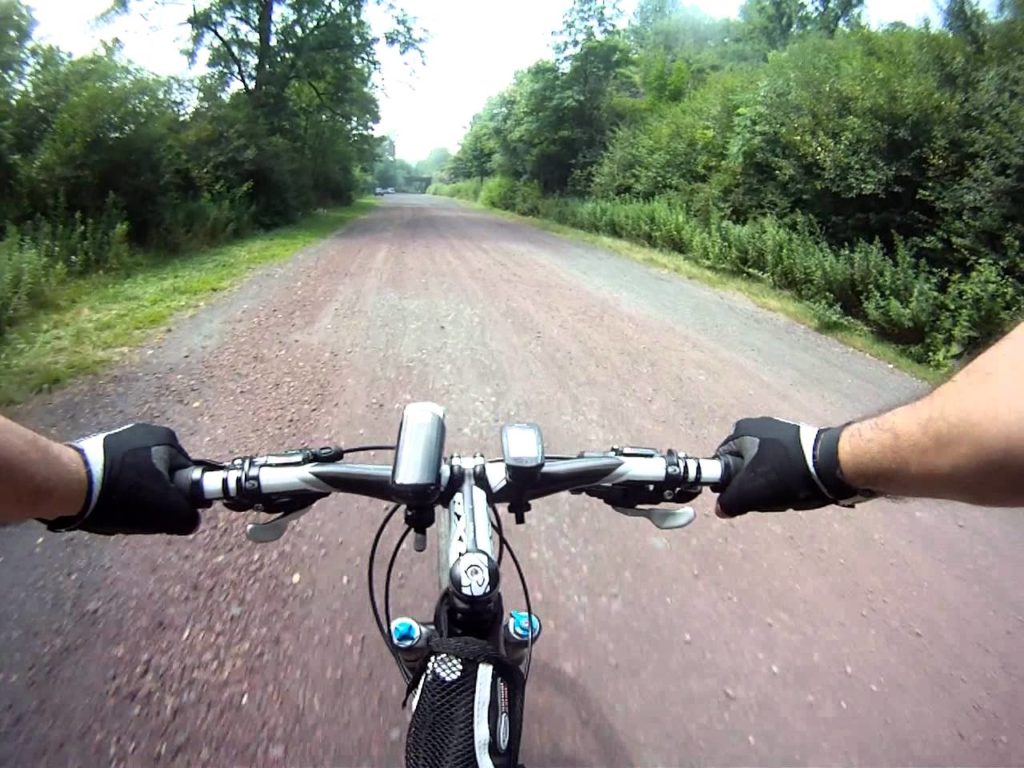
[(628, 480)]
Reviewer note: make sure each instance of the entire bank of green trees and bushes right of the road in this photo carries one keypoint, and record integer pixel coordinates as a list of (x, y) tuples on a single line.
[(875, 174)]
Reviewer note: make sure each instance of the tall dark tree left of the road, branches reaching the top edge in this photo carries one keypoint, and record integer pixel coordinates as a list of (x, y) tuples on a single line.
[(298, 75)]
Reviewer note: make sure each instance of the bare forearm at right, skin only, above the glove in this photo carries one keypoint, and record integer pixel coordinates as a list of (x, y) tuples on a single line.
[(963, 442)]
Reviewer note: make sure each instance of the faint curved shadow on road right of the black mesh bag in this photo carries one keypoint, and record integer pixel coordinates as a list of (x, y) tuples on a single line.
[(565, 726)]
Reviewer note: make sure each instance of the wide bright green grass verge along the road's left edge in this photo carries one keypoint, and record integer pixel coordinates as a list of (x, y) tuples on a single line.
[(91, 323)]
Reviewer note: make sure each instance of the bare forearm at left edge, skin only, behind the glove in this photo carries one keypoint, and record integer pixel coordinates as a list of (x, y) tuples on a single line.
[(41, 479)]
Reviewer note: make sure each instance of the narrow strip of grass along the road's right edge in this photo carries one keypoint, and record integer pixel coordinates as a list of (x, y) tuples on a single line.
[(846, 331)]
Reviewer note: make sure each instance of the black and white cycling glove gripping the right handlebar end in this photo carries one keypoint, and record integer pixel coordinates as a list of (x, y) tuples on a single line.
[(777, 465)]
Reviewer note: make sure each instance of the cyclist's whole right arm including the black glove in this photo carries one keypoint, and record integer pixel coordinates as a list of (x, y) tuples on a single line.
[(963, 442)]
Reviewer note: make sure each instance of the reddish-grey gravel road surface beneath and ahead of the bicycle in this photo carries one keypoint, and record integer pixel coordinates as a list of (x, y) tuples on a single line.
[(887, 635)]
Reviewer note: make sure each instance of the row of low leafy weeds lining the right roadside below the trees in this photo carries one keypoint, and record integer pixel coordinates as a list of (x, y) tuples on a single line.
[(936, 320)]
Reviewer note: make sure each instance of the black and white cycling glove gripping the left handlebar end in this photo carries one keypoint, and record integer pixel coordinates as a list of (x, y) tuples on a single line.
[(131, 484)]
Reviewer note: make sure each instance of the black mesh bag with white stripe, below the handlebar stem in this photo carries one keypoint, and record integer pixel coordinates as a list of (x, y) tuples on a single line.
[(467, 707)]
